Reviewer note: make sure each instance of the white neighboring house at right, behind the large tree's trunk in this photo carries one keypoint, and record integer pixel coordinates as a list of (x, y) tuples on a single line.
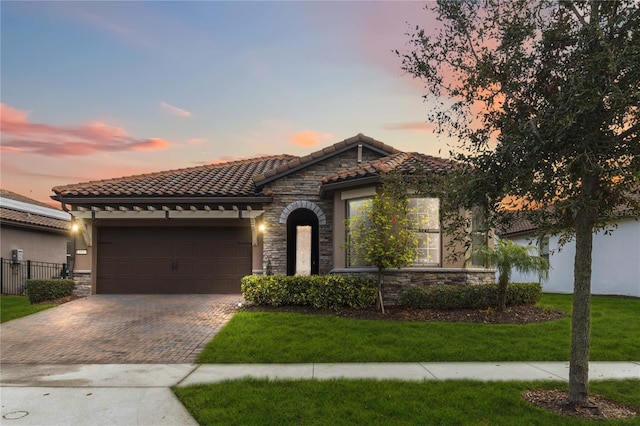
[(615, 266)]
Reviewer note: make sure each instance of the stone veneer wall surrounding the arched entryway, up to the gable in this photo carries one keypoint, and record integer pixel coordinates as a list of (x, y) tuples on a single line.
[(304, 185)]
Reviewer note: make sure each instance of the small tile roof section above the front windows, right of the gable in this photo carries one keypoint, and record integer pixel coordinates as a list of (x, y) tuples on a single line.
[(405, 162)]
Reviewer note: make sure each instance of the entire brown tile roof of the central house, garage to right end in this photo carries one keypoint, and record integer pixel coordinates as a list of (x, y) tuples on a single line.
[(244, 178)]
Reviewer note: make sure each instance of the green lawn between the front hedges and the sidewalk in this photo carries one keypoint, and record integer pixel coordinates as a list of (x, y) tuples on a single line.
[(274, 337)]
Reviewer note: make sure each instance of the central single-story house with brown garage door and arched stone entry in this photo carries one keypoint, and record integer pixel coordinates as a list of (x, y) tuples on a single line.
[(200, 229)]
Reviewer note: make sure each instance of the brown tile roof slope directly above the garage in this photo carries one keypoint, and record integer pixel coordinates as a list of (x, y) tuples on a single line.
[(232, 179)]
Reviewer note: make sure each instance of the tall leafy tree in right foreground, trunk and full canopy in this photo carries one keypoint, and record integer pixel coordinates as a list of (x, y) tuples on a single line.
[(543, 97)]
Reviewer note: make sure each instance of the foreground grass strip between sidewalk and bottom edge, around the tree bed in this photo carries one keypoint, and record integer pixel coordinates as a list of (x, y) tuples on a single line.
[(370, 402)]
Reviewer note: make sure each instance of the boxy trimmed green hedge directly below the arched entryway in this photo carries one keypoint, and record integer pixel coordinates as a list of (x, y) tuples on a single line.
[(317, 291)]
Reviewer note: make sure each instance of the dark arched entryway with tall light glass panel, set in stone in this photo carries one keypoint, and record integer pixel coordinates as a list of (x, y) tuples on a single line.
[(303, 242)]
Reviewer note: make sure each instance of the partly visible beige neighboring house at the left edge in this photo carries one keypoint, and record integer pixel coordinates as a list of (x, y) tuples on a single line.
[(35, 240)]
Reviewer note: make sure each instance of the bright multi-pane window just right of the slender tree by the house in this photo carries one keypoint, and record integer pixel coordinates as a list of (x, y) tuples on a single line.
[(424, 220)]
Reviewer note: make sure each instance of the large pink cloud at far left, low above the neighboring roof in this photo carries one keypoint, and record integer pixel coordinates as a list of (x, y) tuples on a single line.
[(20, 135)]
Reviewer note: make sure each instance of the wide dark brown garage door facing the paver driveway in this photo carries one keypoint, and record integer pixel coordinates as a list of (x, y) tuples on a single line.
[(179, 260)]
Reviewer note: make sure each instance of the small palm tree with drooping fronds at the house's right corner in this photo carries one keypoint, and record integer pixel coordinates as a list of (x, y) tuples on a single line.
[(506, 256)]
